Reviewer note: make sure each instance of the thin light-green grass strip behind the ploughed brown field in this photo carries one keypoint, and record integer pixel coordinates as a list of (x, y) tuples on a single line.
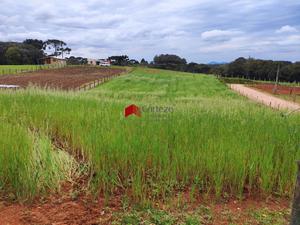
[(13, 69)]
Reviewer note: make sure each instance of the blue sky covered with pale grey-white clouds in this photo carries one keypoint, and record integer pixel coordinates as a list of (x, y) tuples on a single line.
[(198, 30)]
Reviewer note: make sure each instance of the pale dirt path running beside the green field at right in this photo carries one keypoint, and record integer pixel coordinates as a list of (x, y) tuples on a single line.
[(264, 98)]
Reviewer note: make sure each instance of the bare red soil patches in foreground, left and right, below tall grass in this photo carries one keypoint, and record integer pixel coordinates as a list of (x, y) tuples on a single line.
[(83, 209)]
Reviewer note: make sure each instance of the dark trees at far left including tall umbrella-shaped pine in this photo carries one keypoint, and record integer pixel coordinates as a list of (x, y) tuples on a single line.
[(31, 51)]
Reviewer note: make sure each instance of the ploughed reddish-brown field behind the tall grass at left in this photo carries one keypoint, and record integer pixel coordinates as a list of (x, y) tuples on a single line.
[(64, 78)]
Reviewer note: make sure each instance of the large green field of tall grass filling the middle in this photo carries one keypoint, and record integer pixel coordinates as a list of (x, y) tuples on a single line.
[(194, 135)]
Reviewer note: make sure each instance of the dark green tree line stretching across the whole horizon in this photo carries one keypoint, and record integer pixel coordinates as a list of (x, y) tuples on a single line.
[(32, 51)]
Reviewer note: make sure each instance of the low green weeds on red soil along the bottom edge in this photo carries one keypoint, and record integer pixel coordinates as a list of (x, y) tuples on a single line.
[(201, 215)]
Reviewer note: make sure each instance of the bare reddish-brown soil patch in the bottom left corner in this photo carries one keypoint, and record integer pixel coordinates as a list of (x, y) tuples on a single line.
[(66, 208)]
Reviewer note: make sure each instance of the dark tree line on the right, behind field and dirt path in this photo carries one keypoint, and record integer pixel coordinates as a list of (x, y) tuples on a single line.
[(250, 68)]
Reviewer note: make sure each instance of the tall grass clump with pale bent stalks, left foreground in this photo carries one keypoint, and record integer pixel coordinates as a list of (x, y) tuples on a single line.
[(29, 166)]
